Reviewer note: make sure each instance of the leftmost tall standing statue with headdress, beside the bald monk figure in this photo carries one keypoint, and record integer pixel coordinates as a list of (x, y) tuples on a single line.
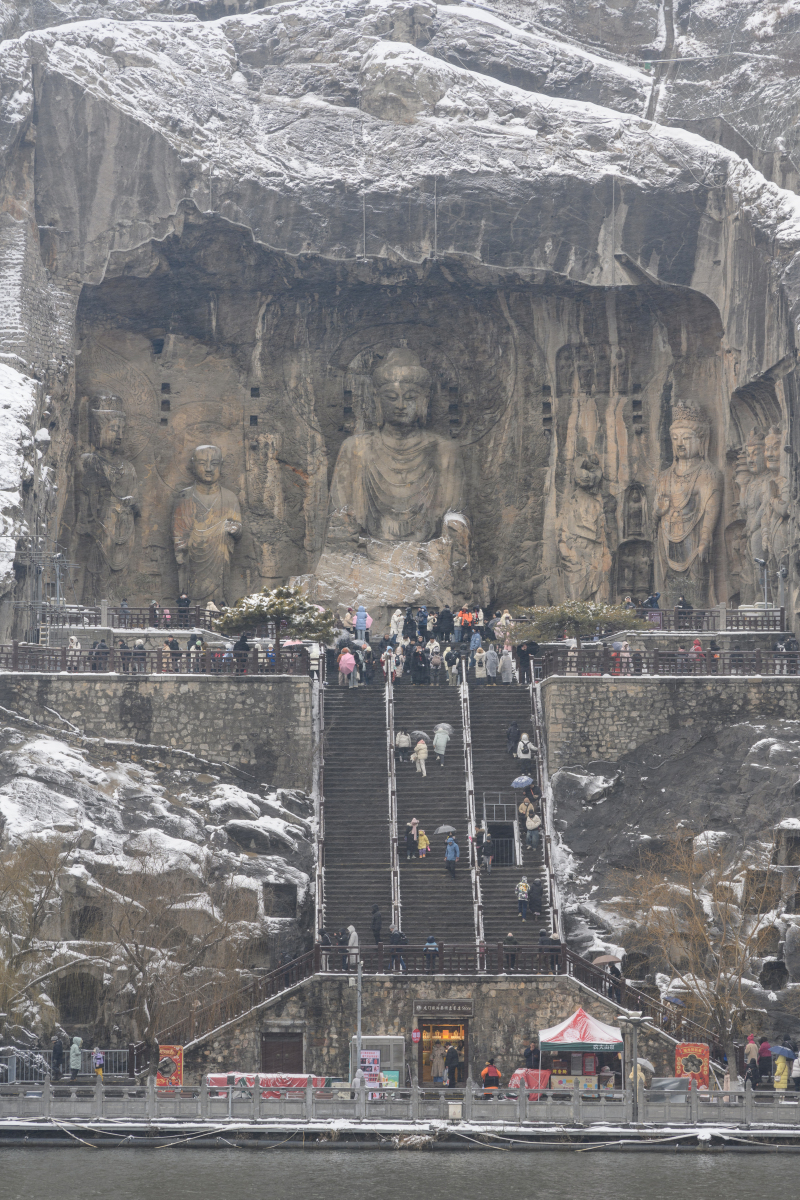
[(109, 503)]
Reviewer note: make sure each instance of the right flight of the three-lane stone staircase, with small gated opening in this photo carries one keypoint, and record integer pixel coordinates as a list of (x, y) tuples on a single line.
[(492, 711)]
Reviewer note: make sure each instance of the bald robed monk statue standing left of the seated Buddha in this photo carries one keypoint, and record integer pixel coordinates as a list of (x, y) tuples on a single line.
[(207, 524)]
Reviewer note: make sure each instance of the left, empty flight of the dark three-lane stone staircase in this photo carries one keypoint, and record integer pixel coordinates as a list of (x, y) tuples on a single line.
[(358, 867)]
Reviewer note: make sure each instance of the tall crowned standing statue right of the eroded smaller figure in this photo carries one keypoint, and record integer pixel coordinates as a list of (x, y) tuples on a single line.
[(688, 509)]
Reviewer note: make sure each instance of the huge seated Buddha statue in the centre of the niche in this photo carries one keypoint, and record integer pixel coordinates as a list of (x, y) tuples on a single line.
[(396, 530)]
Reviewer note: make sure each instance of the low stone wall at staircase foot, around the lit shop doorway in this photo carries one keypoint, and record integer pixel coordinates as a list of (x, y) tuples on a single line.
[(509, 1012)]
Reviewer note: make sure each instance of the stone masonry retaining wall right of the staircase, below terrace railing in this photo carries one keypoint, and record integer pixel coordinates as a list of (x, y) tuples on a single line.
[(588, 718)]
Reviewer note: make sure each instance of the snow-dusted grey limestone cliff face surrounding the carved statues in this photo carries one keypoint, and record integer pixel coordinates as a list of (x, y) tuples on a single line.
[(226, 221)]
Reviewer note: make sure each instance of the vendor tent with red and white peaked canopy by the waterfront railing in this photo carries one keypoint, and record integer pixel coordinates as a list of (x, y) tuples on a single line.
[(582, 1049)]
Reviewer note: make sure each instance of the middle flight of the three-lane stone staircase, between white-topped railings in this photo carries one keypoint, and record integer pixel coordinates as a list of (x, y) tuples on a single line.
[(430, 899)]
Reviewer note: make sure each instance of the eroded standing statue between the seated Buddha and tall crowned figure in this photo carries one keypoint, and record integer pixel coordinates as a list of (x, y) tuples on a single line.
[(585, 556)]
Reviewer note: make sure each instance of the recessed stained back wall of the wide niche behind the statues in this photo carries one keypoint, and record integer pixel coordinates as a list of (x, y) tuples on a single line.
[(209, 338)]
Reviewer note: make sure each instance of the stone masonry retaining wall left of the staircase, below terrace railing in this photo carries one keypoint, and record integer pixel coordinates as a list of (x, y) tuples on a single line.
[(261, 723)]
